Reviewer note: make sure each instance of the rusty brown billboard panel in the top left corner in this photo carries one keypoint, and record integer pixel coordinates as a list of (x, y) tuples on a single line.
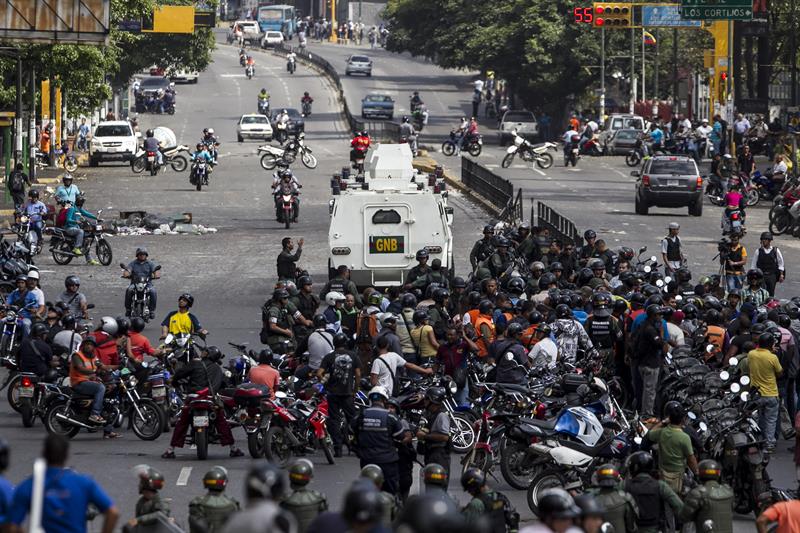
[(55, 21)]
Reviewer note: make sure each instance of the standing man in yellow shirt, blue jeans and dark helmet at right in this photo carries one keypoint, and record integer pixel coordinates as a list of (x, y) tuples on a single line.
[(765, 369)]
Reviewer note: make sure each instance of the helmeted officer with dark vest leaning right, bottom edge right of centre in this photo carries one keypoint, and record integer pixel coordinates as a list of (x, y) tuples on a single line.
[(500, 514)]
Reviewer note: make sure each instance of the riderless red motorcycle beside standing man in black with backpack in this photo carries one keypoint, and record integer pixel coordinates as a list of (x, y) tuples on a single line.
[(299, 428)]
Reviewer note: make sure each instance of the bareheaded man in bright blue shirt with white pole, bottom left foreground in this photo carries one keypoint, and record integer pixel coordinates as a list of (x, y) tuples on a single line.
[(67, 495)]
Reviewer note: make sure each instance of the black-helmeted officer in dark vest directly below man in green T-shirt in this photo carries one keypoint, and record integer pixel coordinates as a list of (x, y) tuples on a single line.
[(651, 495)]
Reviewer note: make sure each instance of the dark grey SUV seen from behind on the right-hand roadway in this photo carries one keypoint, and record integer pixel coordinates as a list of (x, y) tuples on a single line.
[(669, 181)]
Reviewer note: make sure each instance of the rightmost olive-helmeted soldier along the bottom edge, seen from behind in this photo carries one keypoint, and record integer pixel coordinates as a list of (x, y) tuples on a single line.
[(711, 500)]
